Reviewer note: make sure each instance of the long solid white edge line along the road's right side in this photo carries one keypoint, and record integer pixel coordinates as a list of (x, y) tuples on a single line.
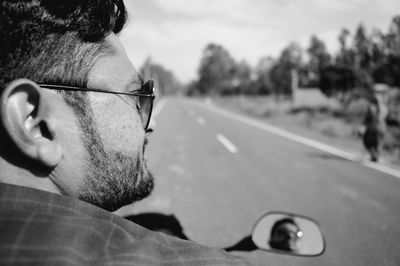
[(302, 140)]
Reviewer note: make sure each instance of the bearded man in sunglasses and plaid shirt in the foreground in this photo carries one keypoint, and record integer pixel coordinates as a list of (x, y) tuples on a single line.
[(74, 117)]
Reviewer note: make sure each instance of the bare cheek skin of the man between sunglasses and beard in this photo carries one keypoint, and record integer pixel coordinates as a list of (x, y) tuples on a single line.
[(119, 125)]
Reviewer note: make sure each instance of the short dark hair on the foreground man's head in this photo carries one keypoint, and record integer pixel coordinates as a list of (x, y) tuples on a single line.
[(55, 41)]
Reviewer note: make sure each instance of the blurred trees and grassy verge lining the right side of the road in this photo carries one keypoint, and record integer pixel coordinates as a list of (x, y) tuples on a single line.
[(274, 89)]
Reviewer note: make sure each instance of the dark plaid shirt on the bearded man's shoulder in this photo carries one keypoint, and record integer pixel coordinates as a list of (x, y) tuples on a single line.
[(41, 228)]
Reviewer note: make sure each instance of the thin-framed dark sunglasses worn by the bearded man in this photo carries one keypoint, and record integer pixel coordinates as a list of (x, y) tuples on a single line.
[(144, 104)]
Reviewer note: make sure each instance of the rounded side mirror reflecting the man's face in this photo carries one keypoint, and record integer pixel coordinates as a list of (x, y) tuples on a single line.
[(289, 234)]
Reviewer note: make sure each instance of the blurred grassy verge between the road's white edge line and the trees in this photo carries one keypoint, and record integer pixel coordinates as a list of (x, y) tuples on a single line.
[(328, 123)]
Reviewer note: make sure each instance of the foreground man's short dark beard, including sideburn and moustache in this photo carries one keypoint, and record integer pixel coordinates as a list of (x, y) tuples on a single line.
[(113, 178)]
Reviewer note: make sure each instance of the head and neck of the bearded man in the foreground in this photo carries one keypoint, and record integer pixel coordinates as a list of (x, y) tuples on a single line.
[(87, 145)]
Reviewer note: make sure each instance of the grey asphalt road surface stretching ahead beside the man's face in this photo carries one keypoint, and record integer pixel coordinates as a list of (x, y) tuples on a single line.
[(217, 175)]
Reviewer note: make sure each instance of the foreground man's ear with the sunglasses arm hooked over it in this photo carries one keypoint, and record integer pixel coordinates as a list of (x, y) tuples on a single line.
[(26, 117)]
